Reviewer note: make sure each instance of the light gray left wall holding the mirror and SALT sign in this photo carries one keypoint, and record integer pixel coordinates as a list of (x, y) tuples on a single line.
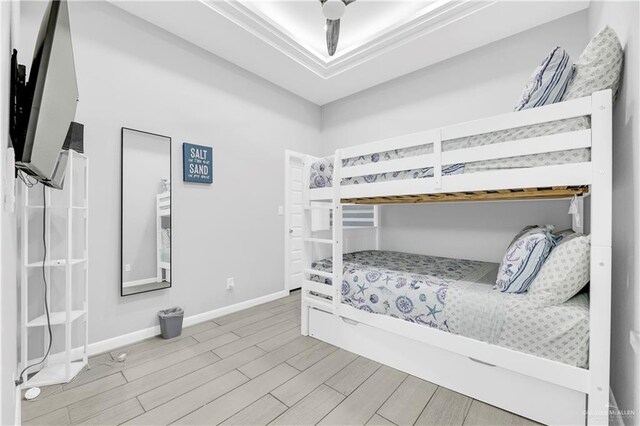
[(134, 74)]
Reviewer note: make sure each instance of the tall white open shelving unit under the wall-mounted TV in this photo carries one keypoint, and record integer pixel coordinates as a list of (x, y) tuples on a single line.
[(66, 272)]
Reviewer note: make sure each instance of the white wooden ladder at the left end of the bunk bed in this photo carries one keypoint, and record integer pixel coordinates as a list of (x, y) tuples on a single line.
[(312, 291)]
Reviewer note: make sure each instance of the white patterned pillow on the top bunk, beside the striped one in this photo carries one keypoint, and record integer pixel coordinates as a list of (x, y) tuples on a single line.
[(598, 67)]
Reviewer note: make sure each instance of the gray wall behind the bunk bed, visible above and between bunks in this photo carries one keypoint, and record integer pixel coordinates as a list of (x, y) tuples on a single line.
[(477, 84)]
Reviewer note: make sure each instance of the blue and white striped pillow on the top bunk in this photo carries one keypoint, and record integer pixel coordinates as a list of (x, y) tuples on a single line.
[(549, 81)]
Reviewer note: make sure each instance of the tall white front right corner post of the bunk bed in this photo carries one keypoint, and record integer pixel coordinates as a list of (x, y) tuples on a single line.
[(600, 288)]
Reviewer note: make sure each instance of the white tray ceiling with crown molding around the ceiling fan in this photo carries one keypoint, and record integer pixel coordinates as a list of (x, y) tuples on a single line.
[(283, 41)]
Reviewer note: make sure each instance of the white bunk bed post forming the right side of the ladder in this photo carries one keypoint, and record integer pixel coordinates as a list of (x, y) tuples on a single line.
[(337, 232)]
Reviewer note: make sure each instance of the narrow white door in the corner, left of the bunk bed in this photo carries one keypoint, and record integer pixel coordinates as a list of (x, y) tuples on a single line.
[(293, 220)]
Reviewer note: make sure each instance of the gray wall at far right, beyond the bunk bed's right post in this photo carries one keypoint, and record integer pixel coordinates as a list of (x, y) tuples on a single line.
[(624, 18)]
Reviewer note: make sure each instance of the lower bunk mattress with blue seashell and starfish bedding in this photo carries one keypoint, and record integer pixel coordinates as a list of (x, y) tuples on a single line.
[(457, 296)]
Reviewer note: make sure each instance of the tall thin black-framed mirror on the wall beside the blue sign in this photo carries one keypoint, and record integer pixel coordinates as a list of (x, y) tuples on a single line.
[(146, 212)]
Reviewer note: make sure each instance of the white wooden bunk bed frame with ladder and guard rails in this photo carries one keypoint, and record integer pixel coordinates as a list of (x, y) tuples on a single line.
[(538, 388)]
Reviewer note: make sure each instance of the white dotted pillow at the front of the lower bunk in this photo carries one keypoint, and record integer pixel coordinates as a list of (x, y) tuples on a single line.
[(565, 273)]
